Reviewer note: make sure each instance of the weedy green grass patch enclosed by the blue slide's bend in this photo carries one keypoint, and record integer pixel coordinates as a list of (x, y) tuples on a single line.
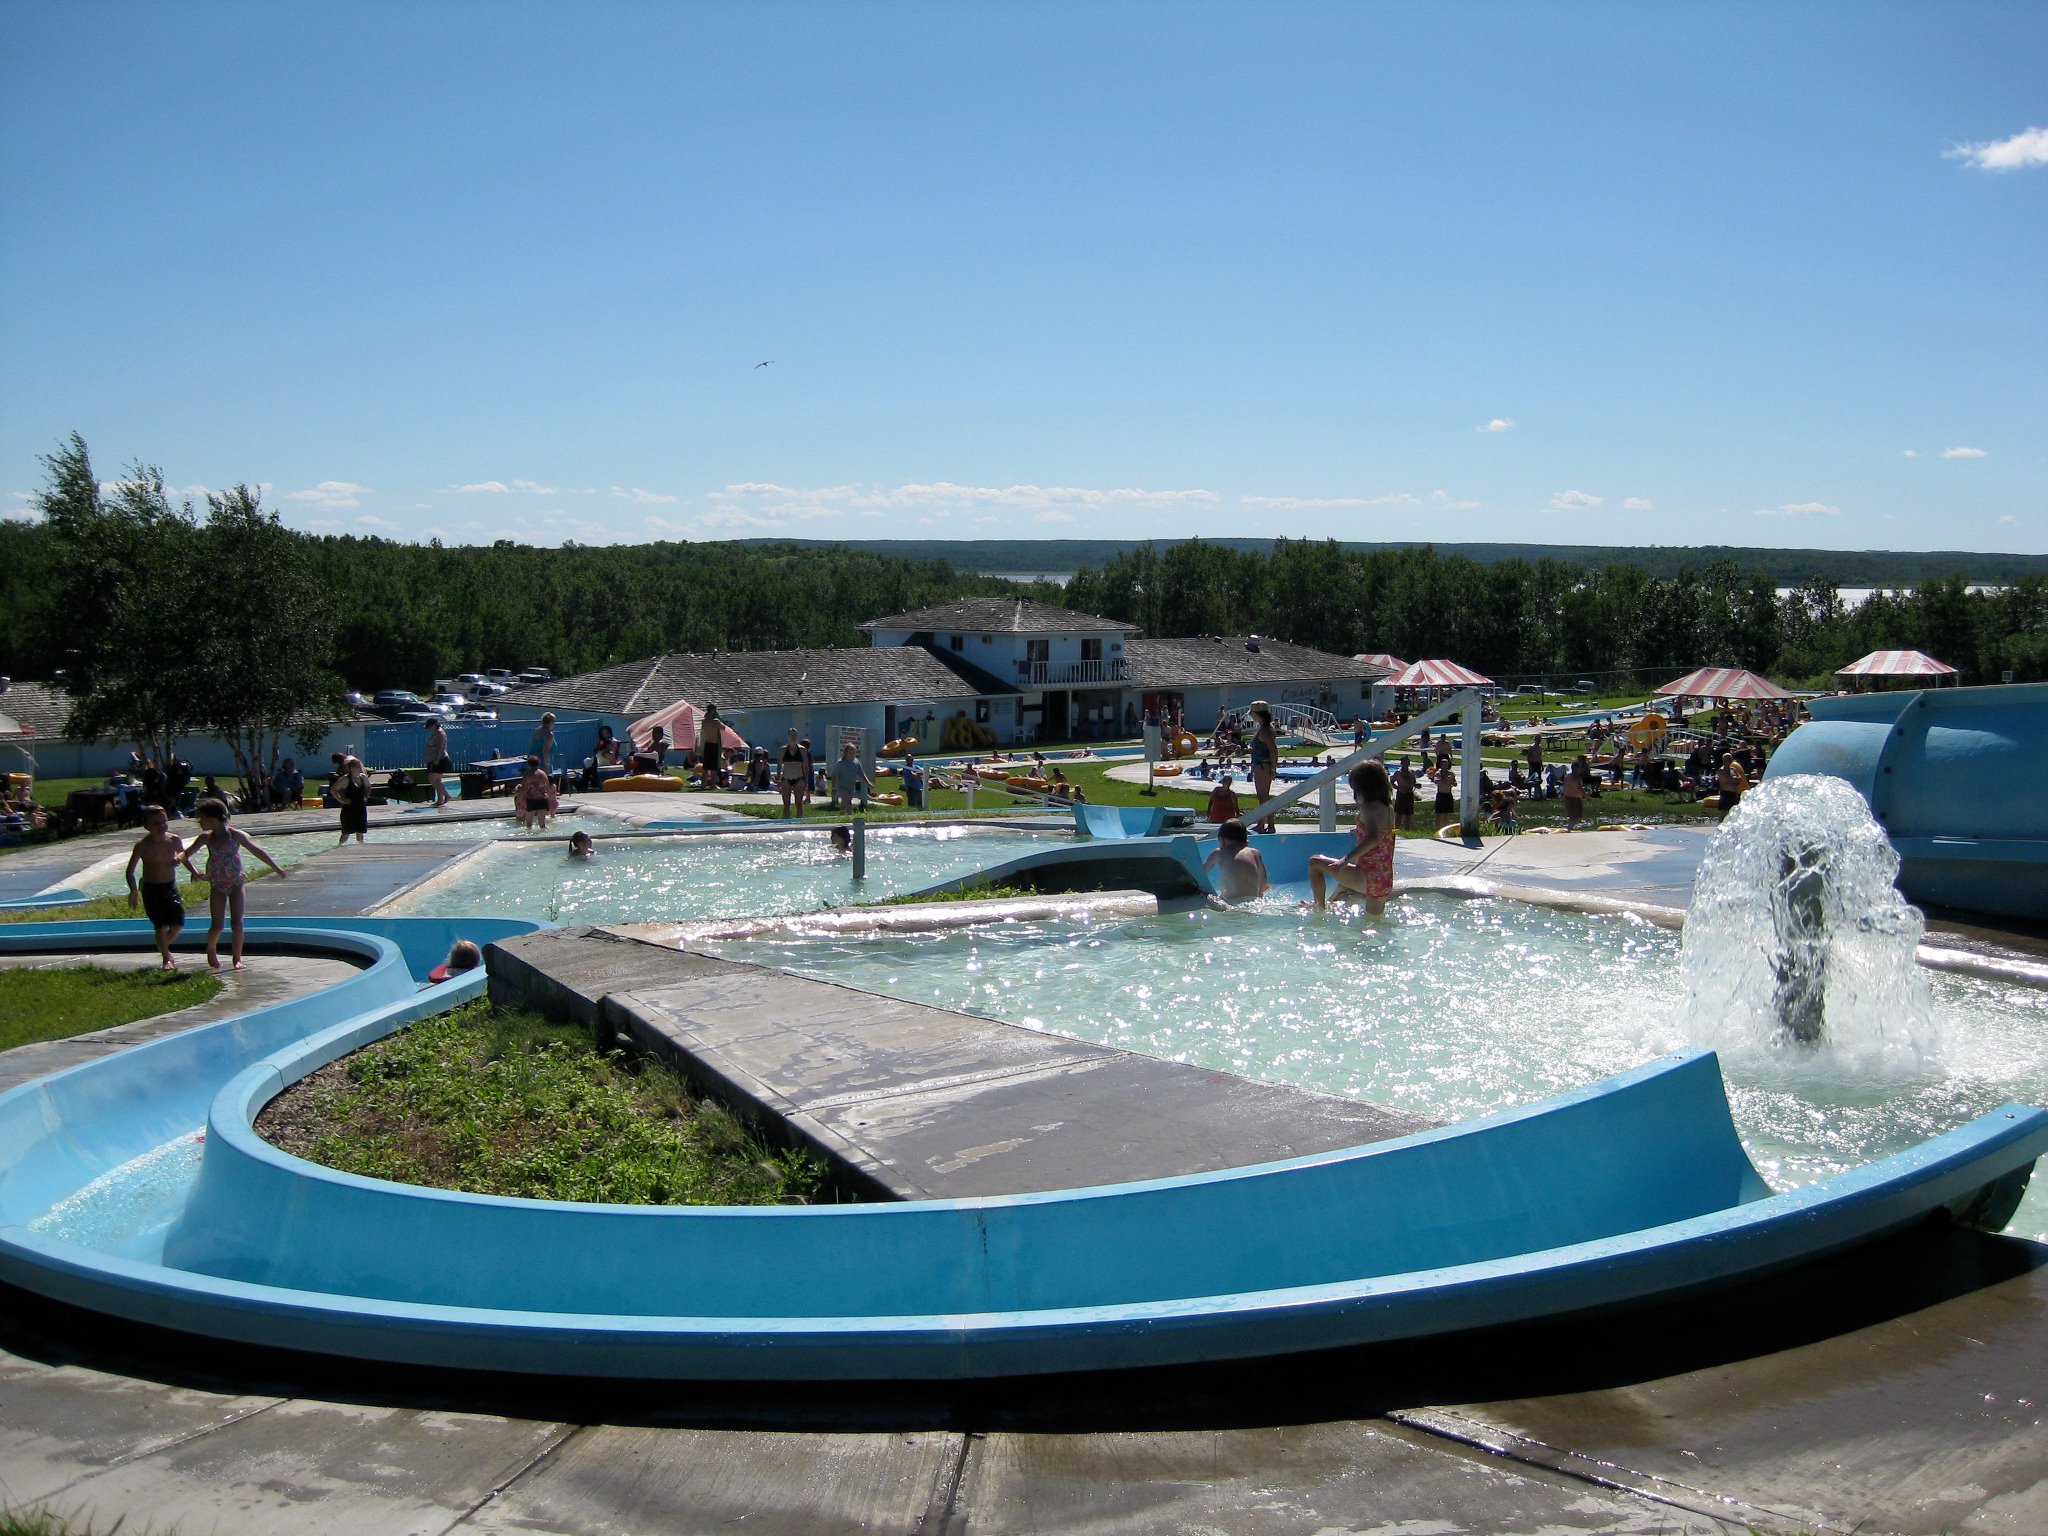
[(497, 1103)]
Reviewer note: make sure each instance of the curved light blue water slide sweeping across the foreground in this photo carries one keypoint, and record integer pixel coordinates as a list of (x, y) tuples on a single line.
[(1619, 1193)]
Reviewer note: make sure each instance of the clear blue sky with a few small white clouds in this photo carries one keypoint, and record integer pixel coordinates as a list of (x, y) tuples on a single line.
[(1568, 273)]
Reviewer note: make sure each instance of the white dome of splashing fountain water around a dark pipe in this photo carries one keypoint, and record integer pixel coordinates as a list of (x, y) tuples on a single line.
[(1799, 949)]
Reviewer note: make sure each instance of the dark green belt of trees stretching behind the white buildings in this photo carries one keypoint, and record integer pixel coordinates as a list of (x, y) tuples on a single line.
[(167, 617)]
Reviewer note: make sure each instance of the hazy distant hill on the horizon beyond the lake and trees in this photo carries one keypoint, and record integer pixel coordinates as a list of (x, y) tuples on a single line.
[(1887, 568)]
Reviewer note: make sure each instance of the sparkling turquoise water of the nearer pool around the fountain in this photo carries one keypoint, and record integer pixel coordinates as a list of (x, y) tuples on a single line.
[(1449, 1009)]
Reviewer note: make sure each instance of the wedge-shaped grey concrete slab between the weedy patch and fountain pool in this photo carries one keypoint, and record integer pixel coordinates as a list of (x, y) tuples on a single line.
[(921, 1103)]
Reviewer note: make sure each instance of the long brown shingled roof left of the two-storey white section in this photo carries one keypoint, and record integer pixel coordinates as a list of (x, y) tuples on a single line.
[(755, 681)]
